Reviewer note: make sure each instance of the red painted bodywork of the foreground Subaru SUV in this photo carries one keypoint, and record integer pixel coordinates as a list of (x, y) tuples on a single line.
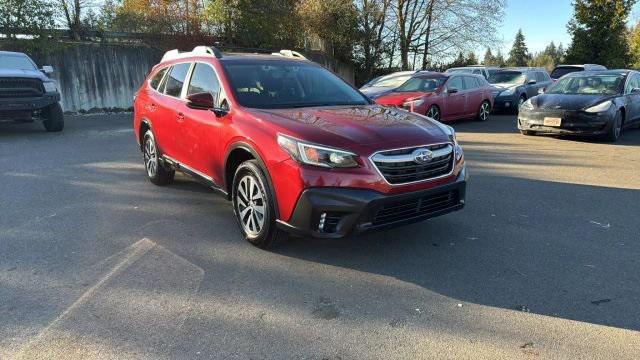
[(202, 141)]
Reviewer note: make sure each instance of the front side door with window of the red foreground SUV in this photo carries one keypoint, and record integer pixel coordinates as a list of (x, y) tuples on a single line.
[(201, 128)]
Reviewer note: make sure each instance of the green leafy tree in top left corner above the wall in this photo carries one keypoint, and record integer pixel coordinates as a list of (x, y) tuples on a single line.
[(25, 17)]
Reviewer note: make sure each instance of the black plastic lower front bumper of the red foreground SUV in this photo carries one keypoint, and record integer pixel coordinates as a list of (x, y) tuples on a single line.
[(327, 212)]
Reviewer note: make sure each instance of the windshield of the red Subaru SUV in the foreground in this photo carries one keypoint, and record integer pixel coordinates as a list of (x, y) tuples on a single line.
[(284, 84)]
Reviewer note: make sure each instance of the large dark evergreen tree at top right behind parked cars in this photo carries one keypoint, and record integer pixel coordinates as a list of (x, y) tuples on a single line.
[(598, 32)]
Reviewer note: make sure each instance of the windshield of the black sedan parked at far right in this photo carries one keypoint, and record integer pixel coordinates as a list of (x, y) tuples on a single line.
[(588, 85)]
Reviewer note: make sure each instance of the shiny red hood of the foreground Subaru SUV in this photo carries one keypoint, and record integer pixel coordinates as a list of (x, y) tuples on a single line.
[(356, 127)]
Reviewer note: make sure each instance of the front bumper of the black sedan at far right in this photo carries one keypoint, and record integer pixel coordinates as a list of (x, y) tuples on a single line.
[(573, 122)]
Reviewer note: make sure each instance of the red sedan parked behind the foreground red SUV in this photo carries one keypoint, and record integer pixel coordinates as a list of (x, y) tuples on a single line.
[(443, 97)]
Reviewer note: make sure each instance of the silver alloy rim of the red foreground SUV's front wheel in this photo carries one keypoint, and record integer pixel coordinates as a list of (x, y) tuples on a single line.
[(251, 207)]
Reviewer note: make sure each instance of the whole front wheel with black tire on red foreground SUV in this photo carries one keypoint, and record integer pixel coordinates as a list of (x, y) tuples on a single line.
[(254, 205)]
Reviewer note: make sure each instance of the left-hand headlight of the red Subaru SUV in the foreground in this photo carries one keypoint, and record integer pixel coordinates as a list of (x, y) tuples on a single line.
[(317, 155)]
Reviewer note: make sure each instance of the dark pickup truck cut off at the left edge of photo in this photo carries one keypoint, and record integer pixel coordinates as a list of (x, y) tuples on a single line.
[(27, 94)]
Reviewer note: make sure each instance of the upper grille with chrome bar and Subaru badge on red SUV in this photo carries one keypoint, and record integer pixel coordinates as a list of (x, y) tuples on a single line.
[(400, 166)]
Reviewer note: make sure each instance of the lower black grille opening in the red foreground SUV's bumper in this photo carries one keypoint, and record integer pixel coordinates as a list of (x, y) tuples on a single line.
[(416, 207)]
